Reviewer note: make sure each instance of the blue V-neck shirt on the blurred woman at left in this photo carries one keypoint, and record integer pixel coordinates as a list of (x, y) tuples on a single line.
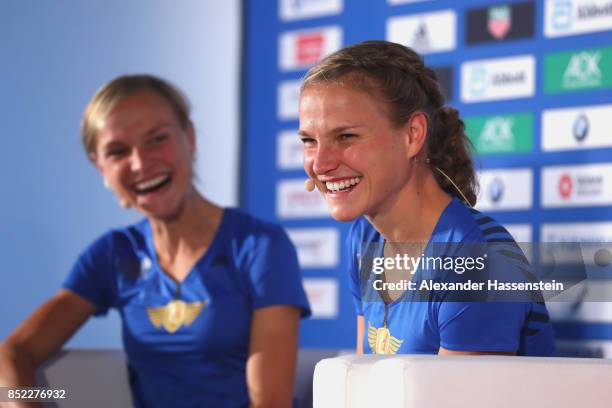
[(187, 345)]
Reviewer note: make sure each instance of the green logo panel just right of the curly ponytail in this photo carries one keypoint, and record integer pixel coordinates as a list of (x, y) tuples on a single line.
[(501, 133)]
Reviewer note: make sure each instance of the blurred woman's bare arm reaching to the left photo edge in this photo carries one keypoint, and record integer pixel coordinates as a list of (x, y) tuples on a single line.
[(41, 335)]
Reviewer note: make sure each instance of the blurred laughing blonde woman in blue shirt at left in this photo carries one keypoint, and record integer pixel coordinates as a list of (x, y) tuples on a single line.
[(210, 298)]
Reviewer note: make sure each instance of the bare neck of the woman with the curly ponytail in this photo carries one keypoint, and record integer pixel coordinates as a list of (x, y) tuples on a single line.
[(414, 213)]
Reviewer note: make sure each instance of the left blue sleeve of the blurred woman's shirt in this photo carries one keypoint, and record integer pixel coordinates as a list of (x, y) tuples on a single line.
[(91, 275)]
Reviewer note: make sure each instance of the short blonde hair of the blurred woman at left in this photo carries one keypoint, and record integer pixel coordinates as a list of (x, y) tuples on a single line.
[(113, 92)]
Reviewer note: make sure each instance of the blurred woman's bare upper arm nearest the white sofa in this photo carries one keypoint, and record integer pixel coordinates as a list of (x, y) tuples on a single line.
[(272, 356)]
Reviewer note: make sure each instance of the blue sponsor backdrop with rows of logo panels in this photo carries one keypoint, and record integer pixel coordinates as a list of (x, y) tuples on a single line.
[(533, 81)]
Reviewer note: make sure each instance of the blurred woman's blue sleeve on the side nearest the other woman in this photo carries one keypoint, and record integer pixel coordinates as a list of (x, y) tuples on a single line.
[(275, 272)]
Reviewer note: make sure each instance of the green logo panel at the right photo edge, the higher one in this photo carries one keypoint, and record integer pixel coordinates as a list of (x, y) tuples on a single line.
[(577, 70)]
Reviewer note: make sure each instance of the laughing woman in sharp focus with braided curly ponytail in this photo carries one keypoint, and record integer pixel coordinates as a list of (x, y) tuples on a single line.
[(388, 155)]
